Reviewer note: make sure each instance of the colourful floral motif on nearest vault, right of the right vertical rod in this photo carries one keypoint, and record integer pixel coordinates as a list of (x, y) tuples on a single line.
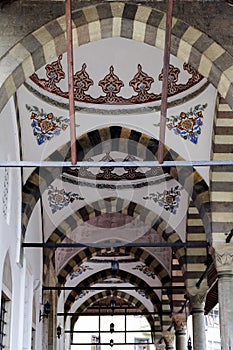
[(188, 124)]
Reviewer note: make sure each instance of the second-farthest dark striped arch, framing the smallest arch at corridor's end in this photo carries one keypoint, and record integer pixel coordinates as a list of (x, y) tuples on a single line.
[(104, 274)]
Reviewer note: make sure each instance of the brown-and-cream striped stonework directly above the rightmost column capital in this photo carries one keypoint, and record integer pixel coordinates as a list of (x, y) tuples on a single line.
[(222, 177)]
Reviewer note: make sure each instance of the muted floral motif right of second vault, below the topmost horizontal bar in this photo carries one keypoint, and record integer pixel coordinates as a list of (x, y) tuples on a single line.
[(168, 199)]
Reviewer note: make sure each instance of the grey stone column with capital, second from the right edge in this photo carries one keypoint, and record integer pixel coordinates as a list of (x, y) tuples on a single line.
[(197, 300)]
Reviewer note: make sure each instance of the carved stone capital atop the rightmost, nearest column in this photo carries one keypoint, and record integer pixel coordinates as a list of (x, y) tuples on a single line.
[(223, 257)]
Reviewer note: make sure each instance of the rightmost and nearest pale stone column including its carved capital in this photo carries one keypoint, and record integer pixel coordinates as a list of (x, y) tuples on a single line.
[(224, 263)]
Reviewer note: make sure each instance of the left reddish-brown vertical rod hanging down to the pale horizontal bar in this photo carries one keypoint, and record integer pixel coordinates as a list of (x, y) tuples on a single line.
[(71, 81)]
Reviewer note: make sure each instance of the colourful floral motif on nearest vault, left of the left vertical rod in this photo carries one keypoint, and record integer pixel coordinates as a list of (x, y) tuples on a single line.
[(46, 125)]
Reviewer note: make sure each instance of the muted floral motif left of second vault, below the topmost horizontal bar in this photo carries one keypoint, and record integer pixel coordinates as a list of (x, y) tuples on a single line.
[(59, 199)]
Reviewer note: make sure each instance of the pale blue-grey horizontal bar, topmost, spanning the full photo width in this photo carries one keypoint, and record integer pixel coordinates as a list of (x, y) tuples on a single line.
[(150, 164)]
